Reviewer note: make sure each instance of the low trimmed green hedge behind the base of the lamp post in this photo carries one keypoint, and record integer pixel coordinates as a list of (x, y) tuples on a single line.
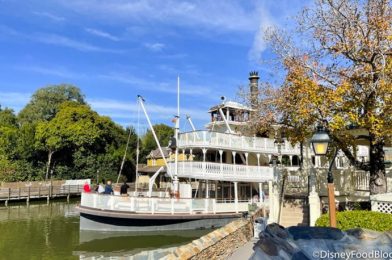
[(359, 219)]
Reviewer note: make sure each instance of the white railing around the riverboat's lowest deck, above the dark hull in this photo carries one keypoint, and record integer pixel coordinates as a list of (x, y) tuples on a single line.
[(160, 205)]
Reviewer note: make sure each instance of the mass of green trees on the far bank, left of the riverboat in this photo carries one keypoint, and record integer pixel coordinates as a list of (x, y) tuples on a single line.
[(57, 133)]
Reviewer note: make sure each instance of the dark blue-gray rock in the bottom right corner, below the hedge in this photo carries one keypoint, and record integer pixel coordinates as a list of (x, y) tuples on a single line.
[(277, 242)]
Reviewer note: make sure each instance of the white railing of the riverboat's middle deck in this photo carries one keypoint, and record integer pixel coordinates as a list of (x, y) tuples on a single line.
[(223, 172)]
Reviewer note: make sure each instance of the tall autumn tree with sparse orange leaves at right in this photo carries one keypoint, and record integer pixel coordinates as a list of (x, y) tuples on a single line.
[(339, 77)]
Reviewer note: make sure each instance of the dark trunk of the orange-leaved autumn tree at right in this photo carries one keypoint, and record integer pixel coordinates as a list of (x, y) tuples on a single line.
[(377, 169)]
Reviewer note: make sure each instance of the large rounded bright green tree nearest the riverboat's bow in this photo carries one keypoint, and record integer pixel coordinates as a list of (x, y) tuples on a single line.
[(84, 142)]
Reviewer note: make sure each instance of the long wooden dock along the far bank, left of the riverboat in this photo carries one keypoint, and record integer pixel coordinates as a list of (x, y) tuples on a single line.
[(40, 192)]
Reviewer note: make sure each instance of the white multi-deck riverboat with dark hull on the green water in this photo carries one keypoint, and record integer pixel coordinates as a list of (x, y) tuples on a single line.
[(222, 169)]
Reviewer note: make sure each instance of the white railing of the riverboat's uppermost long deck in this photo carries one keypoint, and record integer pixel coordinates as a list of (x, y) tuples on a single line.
[(218, 140)]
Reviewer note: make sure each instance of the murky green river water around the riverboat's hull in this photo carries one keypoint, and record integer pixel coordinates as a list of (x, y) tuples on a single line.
[(51, 231)]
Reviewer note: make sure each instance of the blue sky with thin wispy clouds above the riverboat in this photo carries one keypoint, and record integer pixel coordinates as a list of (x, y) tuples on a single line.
[(113, 50)]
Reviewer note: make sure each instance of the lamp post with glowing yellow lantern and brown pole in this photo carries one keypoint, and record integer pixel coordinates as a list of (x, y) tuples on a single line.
[(320, 141)]
